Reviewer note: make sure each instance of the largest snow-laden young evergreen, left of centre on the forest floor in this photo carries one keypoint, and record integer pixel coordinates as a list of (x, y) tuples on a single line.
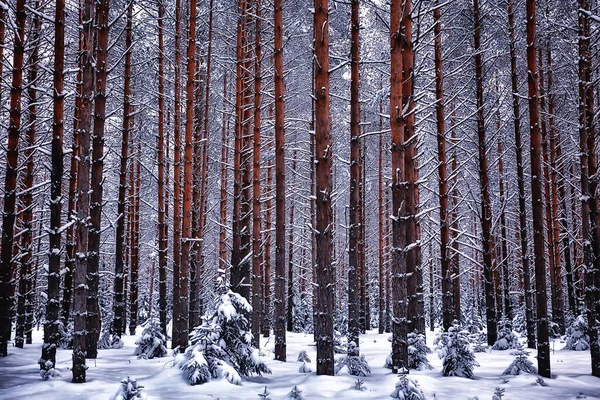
[(222, 346)]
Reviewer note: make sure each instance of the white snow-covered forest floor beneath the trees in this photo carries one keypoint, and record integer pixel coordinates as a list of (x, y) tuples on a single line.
[(19, 378)]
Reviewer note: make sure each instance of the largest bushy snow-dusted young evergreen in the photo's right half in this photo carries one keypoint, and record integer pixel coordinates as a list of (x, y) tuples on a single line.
[(454, 349)]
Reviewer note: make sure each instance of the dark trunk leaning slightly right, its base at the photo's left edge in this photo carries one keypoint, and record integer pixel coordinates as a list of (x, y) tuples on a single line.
[(10, 181)]
